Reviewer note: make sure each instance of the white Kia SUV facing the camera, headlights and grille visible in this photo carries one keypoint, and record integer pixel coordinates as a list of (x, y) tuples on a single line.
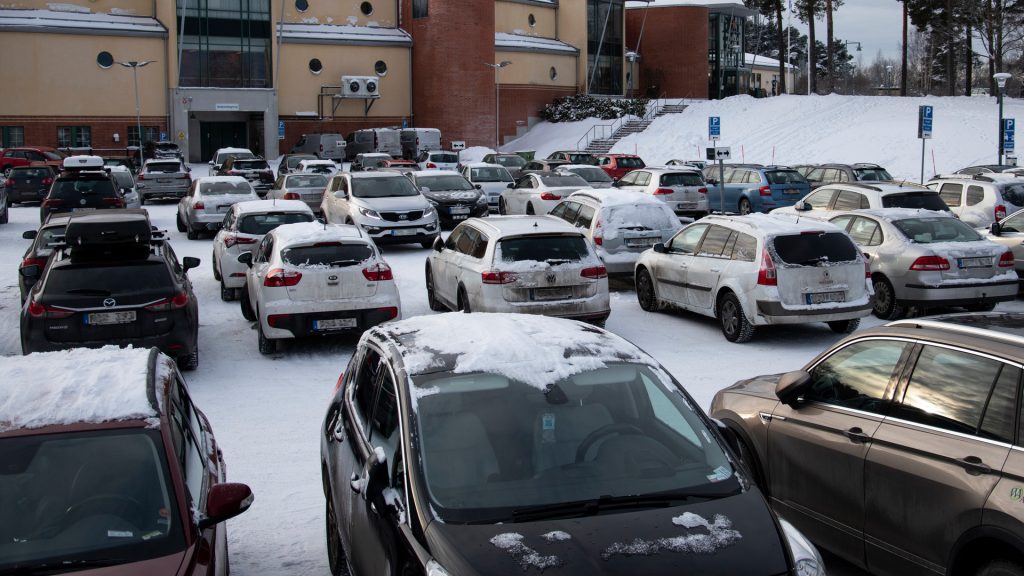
[(387, 205)]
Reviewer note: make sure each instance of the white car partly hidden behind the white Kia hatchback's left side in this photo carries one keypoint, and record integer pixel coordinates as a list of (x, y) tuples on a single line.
[(244, 227)]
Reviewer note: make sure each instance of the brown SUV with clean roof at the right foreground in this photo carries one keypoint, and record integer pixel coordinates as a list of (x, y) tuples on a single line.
[(900, 448)]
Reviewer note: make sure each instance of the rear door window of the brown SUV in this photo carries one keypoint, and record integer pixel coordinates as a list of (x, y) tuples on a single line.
[(949, 390)]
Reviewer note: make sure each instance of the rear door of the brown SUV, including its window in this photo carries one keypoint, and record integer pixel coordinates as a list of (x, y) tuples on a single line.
[(937, 458)]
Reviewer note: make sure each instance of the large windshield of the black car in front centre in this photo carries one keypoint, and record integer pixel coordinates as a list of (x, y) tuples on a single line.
[(495, 449)]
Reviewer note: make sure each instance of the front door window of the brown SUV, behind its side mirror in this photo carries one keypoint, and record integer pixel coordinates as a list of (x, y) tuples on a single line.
[(859, 376)]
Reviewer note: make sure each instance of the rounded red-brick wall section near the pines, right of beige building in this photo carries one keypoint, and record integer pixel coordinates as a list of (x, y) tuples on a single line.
[(673, 52)]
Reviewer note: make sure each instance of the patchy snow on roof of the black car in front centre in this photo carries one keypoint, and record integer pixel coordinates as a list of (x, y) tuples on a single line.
[(535, 350)]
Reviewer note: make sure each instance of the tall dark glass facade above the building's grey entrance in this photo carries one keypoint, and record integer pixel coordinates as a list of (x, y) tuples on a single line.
[(226, 44)]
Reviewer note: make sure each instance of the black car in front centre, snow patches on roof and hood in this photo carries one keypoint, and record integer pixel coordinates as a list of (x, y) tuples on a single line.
[(474, 457)]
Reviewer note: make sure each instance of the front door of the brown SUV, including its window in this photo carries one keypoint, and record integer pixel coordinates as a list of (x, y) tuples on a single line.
[(817, 448)]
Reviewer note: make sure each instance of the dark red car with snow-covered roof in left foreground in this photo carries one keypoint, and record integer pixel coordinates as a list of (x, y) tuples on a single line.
[(108, 468)]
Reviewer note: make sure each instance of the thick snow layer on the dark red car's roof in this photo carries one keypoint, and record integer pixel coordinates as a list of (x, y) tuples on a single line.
[(75, 386)]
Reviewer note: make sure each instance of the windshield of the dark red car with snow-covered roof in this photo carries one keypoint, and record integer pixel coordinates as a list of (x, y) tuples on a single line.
[(86, 498)]
